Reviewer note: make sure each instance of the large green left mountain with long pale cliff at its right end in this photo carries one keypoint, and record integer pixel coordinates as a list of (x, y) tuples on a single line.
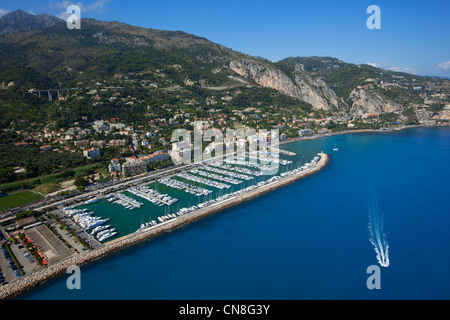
[(57, 56)]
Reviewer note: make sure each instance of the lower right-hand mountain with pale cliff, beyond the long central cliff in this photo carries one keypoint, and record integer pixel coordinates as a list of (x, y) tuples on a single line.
[(366, 89)]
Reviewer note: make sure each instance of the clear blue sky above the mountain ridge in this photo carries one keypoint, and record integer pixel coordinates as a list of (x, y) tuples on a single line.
[(414, 35)]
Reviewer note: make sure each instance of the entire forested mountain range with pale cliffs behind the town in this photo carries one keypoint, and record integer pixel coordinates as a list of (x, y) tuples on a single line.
[(41, 52)]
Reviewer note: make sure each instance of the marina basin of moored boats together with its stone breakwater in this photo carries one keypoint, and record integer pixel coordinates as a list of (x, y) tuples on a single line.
[(106, 222)]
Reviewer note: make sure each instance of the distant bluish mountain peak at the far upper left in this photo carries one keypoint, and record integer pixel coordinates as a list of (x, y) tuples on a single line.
[(20, 21)]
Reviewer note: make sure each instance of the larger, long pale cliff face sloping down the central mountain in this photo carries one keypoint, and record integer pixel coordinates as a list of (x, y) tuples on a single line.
[(303, 87)]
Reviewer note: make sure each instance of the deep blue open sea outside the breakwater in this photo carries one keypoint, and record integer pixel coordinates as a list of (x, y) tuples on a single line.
[(313, 239)]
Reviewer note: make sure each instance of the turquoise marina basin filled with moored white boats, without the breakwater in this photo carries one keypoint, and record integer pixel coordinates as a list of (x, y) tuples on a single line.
[(226, 180)]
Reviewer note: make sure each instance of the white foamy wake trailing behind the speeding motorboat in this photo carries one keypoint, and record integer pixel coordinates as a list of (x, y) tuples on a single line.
[(377, 236)]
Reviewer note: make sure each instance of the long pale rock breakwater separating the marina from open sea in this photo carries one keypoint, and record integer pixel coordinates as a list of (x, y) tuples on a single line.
[(32, 280)]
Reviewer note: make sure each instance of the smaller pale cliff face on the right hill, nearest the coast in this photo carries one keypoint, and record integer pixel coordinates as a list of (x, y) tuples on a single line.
[(368, 101)]
